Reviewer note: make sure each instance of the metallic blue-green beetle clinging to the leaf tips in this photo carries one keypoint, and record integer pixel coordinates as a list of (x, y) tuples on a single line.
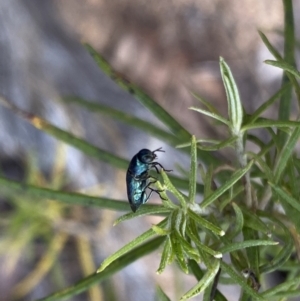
[(137, 177)]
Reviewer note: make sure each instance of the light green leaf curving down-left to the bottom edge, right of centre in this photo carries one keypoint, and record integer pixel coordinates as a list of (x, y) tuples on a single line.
[(204, 282)]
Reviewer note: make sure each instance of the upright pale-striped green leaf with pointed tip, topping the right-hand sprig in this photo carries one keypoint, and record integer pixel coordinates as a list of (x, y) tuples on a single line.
[(235, 109)]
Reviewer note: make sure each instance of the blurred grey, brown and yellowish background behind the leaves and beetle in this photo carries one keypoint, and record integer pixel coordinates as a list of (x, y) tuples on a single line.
[(168, 48)]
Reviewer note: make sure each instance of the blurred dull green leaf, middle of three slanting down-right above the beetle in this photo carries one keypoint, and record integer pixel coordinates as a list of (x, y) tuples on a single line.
[(131, 120)]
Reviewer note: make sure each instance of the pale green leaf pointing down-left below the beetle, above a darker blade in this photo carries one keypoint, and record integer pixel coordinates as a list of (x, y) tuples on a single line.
[(130, 246)]
